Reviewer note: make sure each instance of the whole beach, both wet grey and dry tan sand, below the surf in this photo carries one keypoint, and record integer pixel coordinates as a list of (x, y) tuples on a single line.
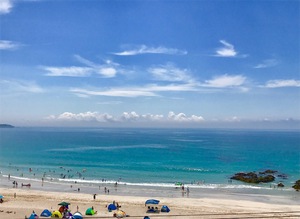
[(221, 204)]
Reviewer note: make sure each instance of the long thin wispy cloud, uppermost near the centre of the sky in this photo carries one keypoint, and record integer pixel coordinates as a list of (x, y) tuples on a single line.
[(143, 49)]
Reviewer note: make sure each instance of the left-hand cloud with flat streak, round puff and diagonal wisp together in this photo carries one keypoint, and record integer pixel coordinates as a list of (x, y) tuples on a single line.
[(107, 70)]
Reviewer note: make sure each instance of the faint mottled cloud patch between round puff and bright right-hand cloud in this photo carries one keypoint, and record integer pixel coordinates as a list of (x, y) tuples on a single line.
[(169, 72)]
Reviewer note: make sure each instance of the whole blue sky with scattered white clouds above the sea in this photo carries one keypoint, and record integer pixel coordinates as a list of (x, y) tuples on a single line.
[(137, 63)]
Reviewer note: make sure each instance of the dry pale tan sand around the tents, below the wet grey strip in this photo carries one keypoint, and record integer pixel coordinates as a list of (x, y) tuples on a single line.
[(21, 202)]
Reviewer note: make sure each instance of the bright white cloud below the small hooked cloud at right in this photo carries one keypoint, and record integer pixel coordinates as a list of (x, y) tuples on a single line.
[(224, 81)]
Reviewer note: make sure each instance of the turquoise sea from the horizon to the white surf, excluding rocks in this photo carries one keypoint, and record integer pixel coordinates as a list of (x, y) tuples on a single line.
[(158, 157)]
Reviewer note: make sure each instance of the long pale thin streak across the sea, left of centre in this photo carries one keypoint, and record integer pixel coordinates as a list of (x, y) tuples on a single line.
[(106, 148)]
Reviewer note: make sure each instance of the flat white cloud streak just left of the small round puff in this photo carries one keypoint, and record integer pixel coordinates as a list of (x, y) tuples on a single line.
[(72, 71)]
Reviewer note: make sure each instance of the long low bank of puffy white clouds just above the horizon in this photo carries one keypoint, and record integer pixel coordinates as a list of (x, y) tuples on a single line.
[(125, 117)]
